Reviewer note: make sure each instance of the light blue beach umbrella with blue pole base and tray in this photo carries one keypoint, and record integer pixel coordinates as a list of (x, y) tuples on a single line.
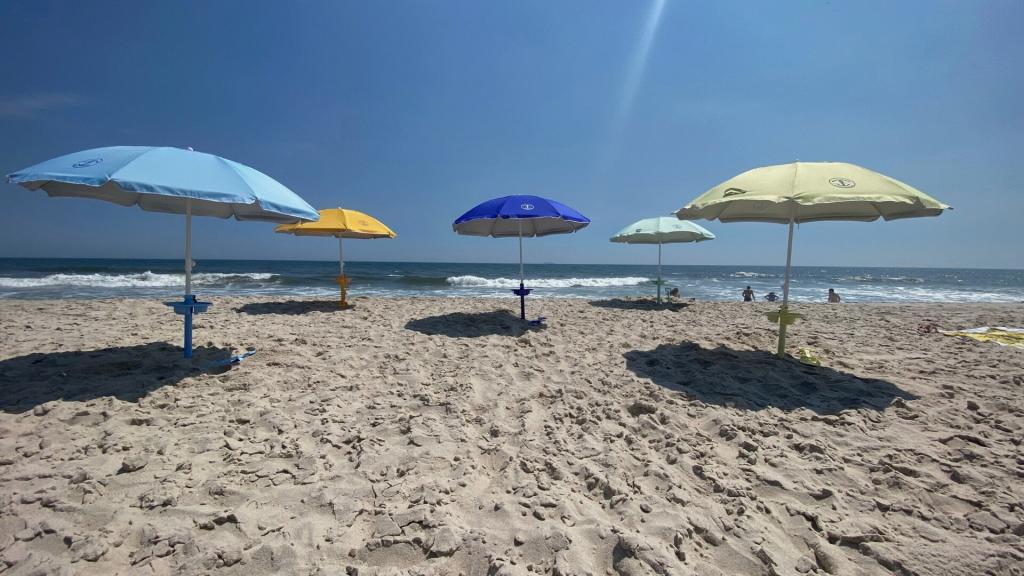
[(174, 181)]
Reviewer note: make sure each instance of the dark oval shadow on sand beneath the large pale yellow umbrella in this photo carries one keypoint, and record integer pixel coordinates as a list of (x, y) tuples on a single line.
[(757, 380)]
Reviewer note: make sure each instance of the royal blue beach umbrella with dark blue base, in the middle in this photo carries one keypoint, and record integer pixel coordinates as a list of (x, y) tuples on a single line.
[(521, 217)]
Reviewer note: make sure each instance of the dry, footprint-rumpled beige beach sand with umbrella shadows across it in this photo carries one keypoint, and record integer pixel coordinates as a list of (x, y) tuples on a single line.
[(439, 437)]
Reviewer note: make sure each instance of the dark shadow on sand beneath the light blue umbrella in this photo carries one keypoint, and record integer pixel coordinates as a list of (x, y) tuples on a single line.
[(123, 373)]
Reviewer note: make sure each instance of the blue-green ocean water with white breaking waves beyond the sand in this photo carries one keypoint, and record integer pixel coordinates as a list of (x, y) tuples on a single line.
[(53, 278)]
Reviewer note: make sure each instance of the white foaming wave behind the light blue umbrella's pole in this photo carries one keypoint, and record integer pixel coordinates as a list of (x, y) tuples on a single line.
[(140, 280)]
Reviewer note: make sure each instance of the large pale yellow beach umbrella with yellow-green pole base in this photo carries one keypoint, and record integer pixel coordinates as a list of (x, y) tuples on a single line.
[(808, 192)]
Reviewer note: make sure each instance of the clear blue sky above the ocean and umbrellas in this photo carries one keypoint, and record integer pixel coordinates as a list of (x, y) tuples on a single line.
[(415, 111)]
